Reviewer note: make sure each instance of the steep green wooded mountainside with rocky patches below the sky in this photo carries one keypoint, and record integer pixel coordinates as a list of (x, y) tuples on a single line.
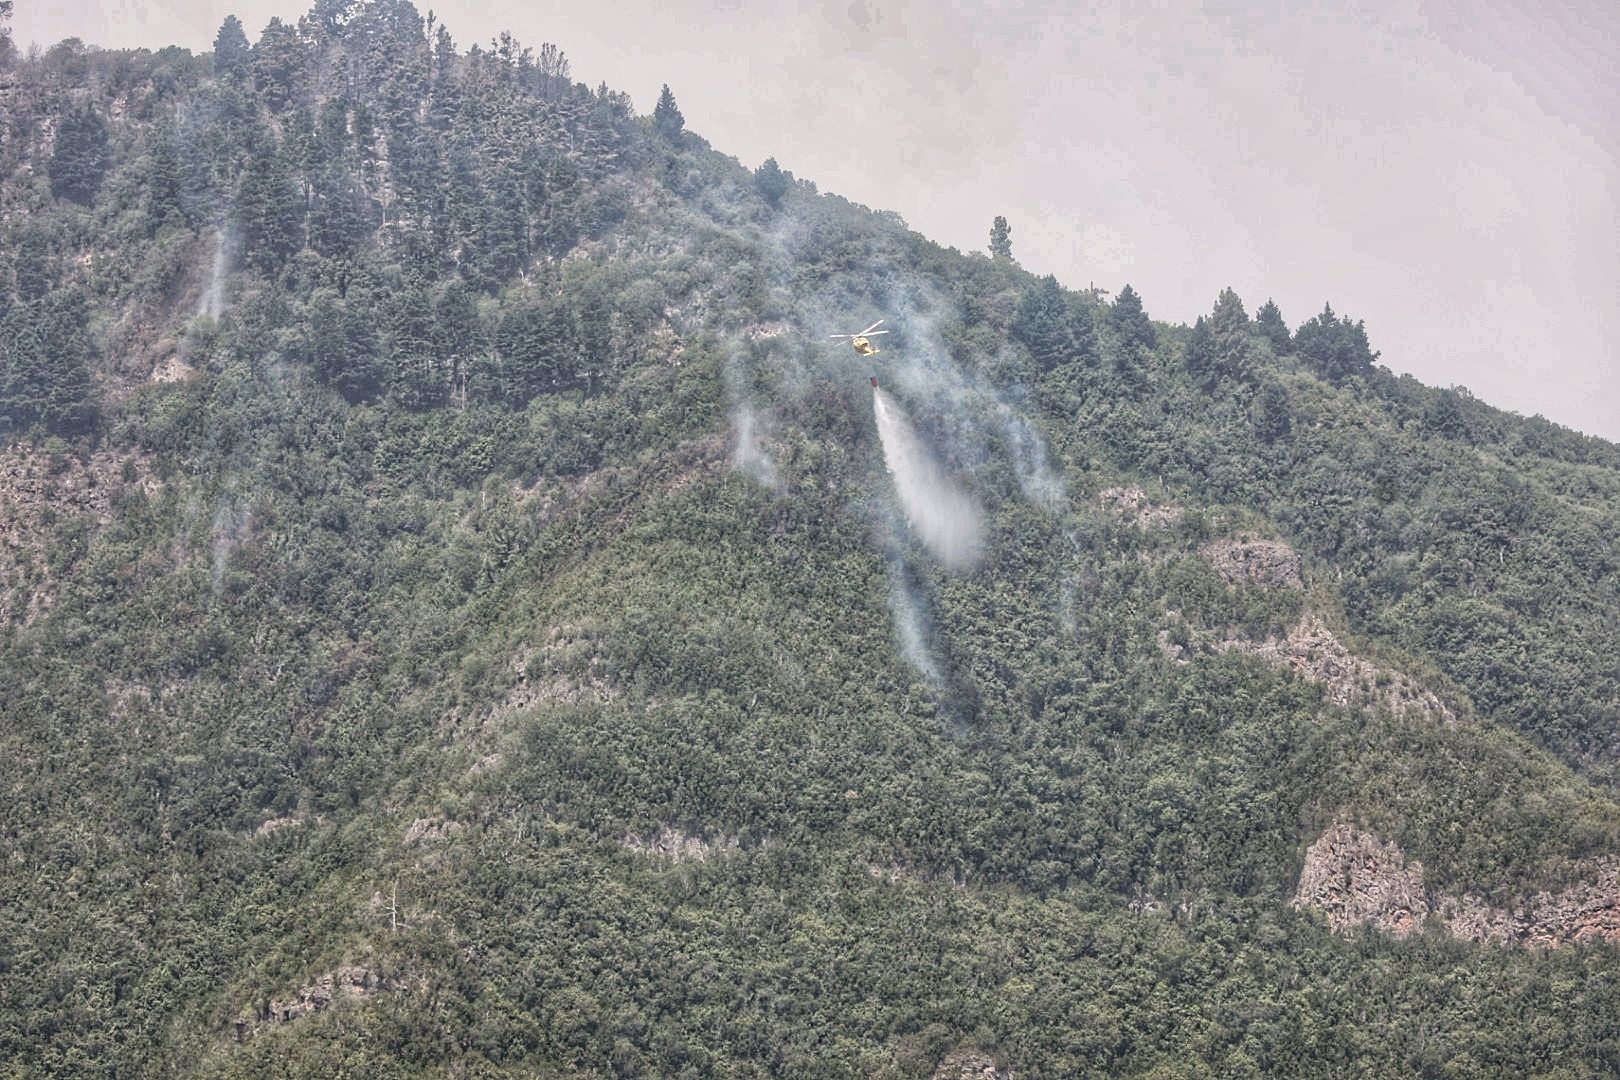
[(456, 618)]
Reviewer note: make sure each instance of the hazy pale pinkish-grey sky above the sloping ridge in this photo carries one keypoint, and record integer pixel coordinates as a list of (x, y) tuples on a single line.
[(1447, 172)]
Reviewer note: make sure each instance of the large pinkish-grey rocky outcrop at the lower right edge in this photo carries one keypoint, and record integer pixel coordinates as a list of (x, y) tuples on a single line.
[(1355, 878)]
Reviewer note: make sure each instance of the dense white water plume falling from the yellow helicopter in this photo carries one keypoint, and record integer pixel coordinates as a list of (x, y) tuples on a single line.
[(947, 519)]
